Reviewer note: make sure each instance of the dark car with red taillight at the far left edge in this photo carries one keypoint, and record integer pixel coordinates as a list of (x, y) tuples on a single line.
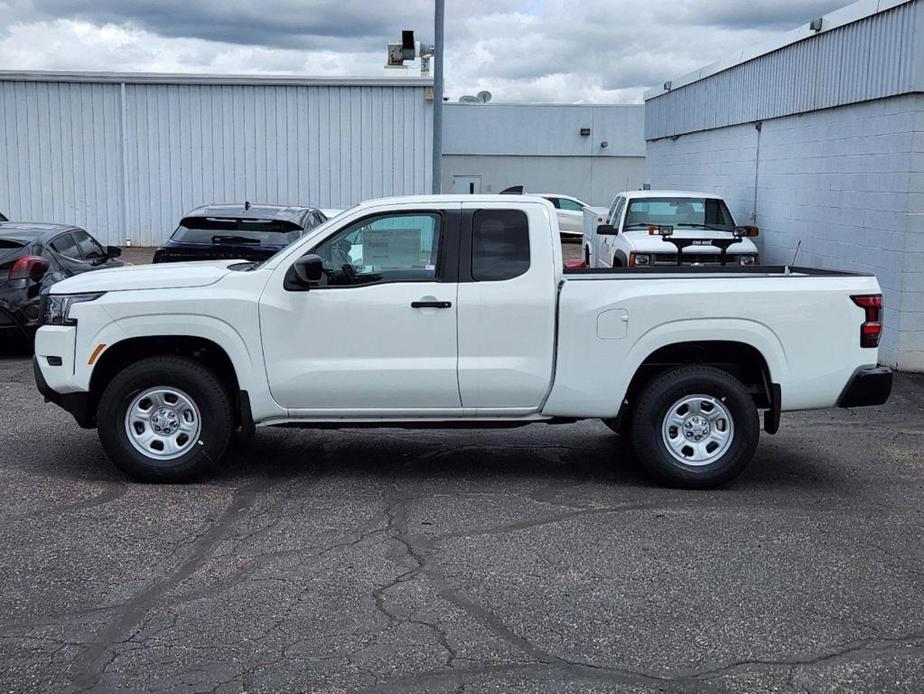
[(34, 256)]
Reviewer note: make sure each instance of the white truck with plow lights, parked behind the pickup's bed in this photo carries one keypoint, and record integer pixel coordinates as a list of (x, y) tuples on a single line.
[(688, 215)]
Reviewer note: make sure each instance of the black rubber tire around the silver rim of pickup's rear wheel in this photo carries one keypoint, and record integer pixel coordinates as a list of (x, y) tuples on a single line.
[(659, 398)]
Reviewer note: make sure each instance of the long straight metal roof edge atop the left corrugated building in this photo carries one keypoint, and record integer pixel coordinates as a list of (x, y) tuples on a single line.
[(203, 79)]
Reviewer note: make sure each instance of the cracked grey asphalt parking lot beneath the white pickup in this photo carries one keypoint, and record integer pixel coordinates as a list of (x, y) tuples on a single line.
[(534, 559)]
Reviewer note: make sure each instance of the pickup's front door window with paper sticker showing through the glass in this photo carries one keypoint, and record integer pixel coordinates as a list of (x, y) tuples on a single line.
[(381, 249)]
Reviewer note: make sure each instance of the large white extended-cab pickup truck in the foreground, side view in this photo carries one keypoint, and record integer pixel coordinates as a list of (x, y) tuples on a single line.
[(453, 310)]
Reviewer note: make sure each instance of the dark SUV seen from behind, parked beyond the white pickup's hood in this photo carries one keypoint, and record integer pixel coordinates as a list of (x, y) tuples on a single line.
[(249, 232)]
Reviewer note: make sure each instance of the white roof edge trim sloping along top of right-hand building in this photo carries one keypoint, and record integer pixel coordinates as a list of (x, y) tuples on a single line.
[(833, 20)]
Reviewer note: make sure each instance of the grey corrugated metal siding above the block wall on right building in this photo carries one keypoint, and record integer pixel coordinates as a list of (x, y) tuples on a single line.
[(868, 59)]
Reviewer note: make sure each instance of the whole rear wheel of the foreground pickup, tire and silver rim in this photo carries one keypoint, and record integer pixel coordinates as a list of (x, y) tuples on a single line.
[(695, 427)]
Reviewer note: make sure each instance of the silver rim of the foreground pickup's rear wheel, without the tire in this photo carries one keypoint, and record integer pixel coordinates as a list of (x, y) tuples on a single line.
[(698, 429)]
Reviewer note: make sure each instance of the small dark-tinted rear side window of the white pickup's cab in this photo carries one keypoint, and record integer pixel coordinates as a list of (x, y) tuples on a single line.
[(500, 245)]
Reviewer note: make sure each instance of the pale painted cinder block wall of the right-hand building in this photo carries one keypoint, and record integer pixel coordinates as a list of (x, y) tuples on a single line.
[(847, 182)]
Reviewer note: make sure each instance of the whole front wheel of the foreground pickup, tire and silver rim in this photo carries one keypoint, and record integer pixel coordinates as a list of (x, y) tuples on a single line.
[(165, 419)]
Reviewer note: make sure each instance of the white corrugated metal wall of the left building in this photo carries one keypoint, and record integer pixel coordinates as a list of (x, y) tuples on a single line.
[(126, 159)]
